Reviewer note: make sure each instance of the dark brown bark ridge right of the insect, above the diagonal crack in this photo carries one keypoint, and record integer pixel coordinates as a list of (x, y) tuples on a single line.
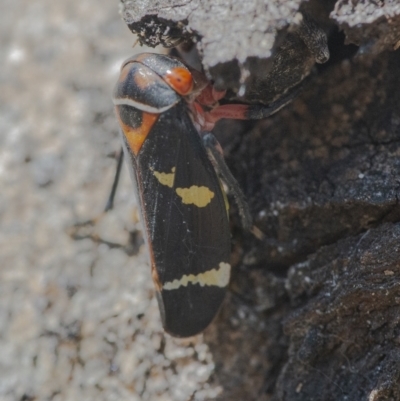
[(328, 165)]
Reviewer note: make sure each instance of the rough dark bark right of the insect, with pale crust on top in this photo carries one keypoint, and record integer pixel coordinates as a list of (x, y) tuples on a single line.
[(314, 310)]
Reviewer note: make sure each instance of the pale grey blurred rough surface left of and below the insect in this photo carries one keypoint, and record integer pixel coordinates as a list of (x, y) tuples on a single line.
[(78, 320)]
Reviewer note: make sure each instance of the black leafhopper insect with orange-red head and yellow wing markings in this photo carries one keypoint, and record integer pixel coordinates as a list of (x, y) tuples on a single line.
[(165, 111)]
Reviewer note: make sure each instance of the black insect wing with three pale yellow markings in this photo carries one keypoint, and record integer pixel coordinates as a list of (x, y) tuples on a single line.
[(185, 220)]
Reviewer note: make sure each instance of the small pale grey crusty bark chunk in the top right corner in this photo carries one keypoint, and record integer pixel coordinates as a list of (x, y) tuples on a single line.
[(373, 25)]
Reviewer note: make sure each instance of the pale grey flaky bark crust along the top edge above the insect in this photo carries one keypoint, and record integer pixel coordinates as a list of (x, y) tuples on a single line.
[(238, 30)]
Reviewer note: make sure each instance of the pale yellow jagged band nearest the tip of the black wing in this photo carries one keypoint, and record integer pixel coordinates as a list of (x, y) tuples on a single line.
[(219, 278)]
